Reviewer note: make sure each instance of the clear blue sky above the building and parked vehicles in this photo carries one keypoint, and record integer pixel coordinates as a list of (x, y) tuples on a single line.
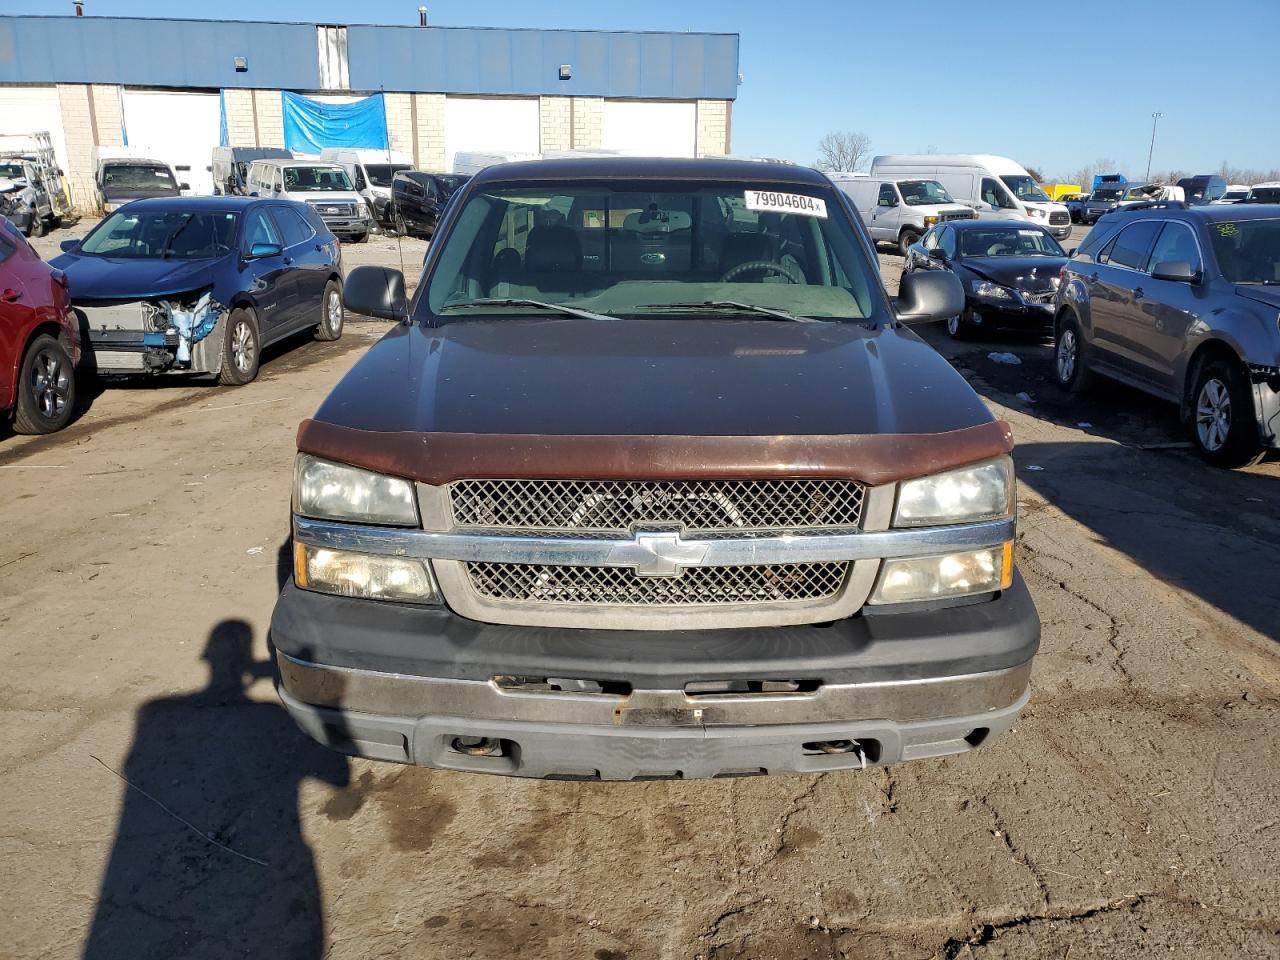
[(1050, 89)]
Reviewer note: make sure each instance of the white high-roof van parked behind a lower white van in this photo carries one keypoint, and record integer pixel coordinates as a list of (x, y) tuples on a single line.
[(994, 186)]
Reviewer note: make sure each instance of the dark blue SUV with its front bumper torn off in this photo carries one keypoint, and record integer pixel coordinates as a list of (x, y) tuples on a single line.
[(202, 285)]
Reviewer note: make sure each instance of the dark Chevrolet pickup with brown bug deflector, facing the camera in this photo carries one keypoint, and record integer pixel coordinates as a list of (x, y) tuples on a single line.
[(652, 481)]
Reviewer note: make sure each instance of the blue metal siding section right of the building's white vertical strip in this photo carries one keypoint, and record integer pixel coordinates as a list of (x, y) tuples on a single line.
[(515, 62)]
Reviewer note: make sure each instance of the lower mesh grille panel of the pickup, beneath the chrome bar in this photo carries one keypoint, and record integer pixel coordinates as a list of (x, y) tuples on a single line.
[(774, 583)]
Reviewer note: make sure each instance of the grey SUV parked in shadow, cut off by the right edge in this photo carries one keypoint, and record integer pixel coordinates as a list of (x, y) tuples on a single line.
[(1182, 303)]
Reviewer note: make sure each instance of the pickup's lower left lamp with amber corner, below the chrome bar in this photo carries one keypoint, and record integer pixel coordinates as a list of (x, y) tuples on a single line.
[(363, 575)]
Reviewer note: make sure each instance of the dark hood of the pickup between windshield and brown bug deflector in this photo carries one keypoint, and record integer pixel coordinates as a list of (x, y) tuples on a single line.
[(671, 377)]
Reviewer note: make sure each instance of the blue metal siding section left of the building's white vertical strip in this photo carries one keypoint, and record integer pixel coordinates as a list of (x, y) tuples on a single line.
[(145, 53)]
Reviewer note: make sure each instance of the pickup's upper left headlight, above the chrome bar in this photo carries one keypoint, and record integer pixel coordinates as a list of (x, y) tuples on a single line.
[(336, 492)]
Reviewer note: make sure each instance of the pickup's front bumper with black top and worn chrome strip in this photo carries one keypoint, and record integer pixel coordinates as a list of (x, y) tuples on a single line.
[(403, 683)]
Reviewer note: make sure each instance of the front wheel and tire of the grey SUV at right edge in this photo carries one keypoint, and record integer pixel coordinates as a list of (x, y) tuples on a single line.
[(1223, 426)]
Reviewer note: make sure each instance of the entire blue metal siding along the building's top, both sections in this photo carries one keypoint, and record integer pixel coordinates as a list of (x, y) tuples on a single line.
[(158, 53)]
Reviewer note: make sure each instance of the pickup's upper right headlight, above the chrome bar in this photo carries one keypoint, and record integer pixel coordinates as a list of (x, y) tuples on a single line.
[(970, 495)]
